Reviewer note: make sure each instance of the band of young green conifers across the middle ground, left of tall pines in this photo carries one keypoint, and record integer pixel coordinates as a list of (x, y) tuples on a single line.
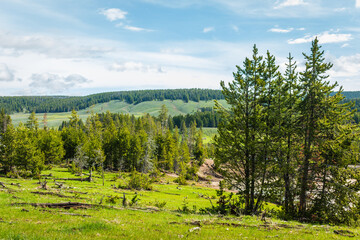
[(109, 141)]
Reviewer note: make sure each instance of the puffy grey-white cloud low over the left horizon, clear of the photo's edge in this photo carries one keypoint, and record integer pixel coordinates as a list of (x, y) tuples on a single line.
[(55, 82)]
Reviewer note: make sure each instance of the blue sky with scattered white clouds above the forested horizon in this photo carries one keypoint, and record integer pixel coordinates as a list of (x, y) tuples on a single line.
[(80, 47)]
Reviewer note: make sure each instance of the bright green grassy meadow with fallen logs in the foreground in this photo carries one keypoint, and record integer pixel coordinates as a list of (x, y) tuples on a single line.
[(145, 220)]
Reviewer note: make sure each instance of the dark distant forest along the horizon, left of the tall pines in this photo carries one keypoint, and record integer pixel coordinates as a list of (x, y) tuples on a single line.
[(42, 104)]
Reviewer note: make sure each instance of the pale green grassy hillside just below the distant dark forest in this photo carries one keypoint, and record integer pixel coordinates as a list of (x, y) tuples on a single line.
[(153, 107)]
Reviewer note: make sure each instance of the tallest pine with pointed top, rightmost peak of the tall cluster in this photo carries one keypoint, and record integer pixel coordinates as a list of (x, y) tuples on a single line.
[(315, 92)]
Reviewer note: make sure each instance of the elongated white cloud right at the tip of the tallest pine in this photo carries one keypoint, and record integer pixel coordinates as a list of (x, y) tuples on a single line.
[(325, 37)]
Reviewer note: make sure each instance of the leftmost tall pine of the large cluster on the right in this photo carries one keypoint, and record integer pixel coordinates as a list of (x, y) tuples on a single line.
[(238, 142)]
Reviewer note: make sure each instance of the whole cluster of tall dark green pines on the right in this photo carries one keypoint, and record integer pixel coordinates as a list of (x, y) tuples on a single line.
[(289, 140)]
